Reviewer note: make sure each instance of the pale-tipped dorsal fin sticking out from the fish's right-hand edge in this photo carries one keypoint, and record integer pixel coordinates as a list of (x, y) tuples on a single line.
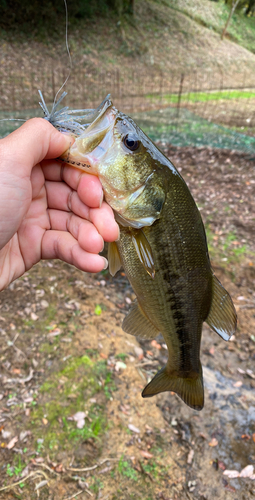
[(222, 315)]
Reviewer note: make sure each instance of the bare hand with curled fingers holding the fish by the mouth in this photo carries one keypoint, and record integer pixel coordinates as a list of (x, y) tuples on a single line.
[(48, 210)]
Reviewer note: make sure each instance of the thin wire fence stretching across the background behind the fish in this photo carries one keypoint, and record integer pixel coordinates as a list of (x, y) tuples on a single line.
[(192, 103)]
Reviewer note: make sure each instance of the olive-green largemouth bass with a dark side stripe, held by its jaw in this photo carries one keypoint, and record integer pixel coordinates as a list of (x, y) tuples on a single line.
[(162, 248)]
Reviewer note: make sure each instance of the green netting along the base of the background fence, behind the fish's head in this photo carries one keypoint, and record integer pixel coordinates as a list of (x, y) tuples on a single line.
[(170, 125)]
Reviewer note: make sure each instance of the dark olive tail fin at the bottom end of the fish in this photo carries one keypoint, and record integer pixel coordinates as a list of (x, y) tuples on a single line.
[(190, 390)]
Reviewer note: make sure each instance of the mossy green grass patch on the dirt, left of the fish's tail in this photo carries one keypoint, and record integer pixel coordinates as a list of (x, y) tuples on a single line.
[(61, 396)]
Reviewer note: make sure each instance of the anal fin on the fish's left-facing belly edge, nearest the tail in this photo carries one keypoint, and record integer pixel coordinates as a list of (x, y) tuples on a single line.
[(136, 323)]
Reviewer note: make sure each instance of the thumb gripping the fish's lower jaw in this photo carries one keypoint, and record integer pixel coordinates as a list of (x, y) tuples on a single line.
[(31, 143)]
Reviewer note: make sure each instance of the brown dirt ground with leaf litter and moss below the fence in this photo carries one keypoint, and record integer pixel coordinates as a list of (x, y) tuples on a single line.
[(72, 420)]
